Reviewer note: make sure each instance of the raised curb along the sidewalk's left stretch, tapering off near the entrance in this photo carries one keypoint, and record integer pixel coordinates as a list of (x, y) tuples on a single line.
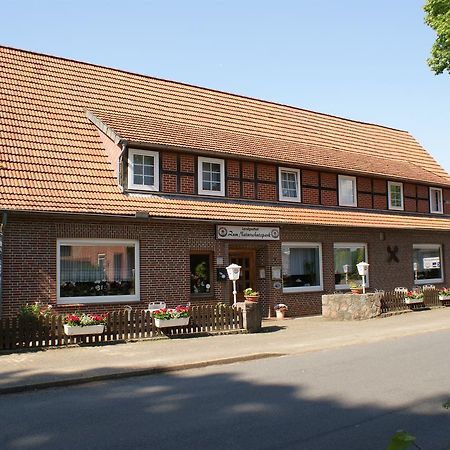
[(136, 373)]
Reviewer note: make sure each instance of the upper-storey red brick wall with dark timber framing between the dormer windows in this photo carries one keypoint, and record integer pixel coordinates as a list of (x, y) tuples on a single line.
[(256, 180)]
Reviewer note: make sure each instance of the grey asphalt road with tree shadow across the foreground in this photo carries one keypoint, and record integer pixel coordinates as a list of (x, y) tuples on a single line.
[(351, 398)]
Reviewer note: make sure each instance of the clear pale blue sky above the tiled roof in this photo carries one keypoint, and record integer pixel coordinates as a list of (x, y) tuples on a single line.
[(360, 59)]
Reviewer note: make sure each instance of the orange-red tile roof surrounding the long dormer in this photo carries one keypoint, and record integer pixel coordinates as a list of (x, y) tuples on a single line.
[(52, 158)]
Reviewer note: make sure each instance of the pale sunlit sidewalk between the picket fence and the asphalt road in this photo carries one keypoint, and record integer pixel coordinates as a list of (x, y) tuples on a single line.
[(53, 367)]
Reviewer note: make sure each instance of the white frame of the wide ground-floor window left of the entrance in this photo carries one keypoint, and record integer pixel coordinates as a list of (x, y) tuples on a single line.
[(97, 299)]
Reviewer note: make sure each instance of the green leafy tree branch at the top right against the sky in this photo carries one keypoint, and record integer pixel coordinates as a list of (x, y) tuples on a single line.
[(438, 18)]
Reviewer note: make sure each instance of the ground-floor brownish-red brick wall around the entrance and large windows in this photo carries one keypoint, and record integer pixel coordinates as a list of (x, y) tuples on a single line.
[(30, 260)]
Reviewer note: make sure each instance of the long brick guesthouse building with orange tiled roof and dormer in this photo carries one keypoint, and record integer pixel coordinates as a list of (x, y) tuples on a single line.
[(119, 189)]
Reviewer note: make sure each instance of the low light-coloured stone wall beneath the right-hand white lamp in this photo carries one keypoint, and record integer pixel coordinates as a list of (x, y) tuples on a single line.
[(351, 306)]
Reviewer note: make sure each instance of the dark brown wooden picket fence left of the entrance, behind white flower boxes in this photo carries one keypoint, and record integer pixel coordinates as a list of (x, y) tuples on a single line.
[(121, 325)]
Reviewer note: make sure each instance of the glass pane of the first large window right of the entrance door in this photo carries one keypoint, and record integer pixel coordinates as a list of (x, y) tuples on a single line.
[(301, 266)]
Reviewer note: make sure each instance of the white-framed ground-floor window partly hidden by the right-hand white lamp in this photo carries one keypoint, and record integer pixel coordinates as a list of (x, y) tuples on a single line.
[(346, 256)]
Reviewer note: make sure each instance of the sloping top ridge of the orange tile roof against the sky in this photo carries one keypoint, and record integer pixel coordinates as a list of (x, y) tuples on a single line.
[(255, 99)]
